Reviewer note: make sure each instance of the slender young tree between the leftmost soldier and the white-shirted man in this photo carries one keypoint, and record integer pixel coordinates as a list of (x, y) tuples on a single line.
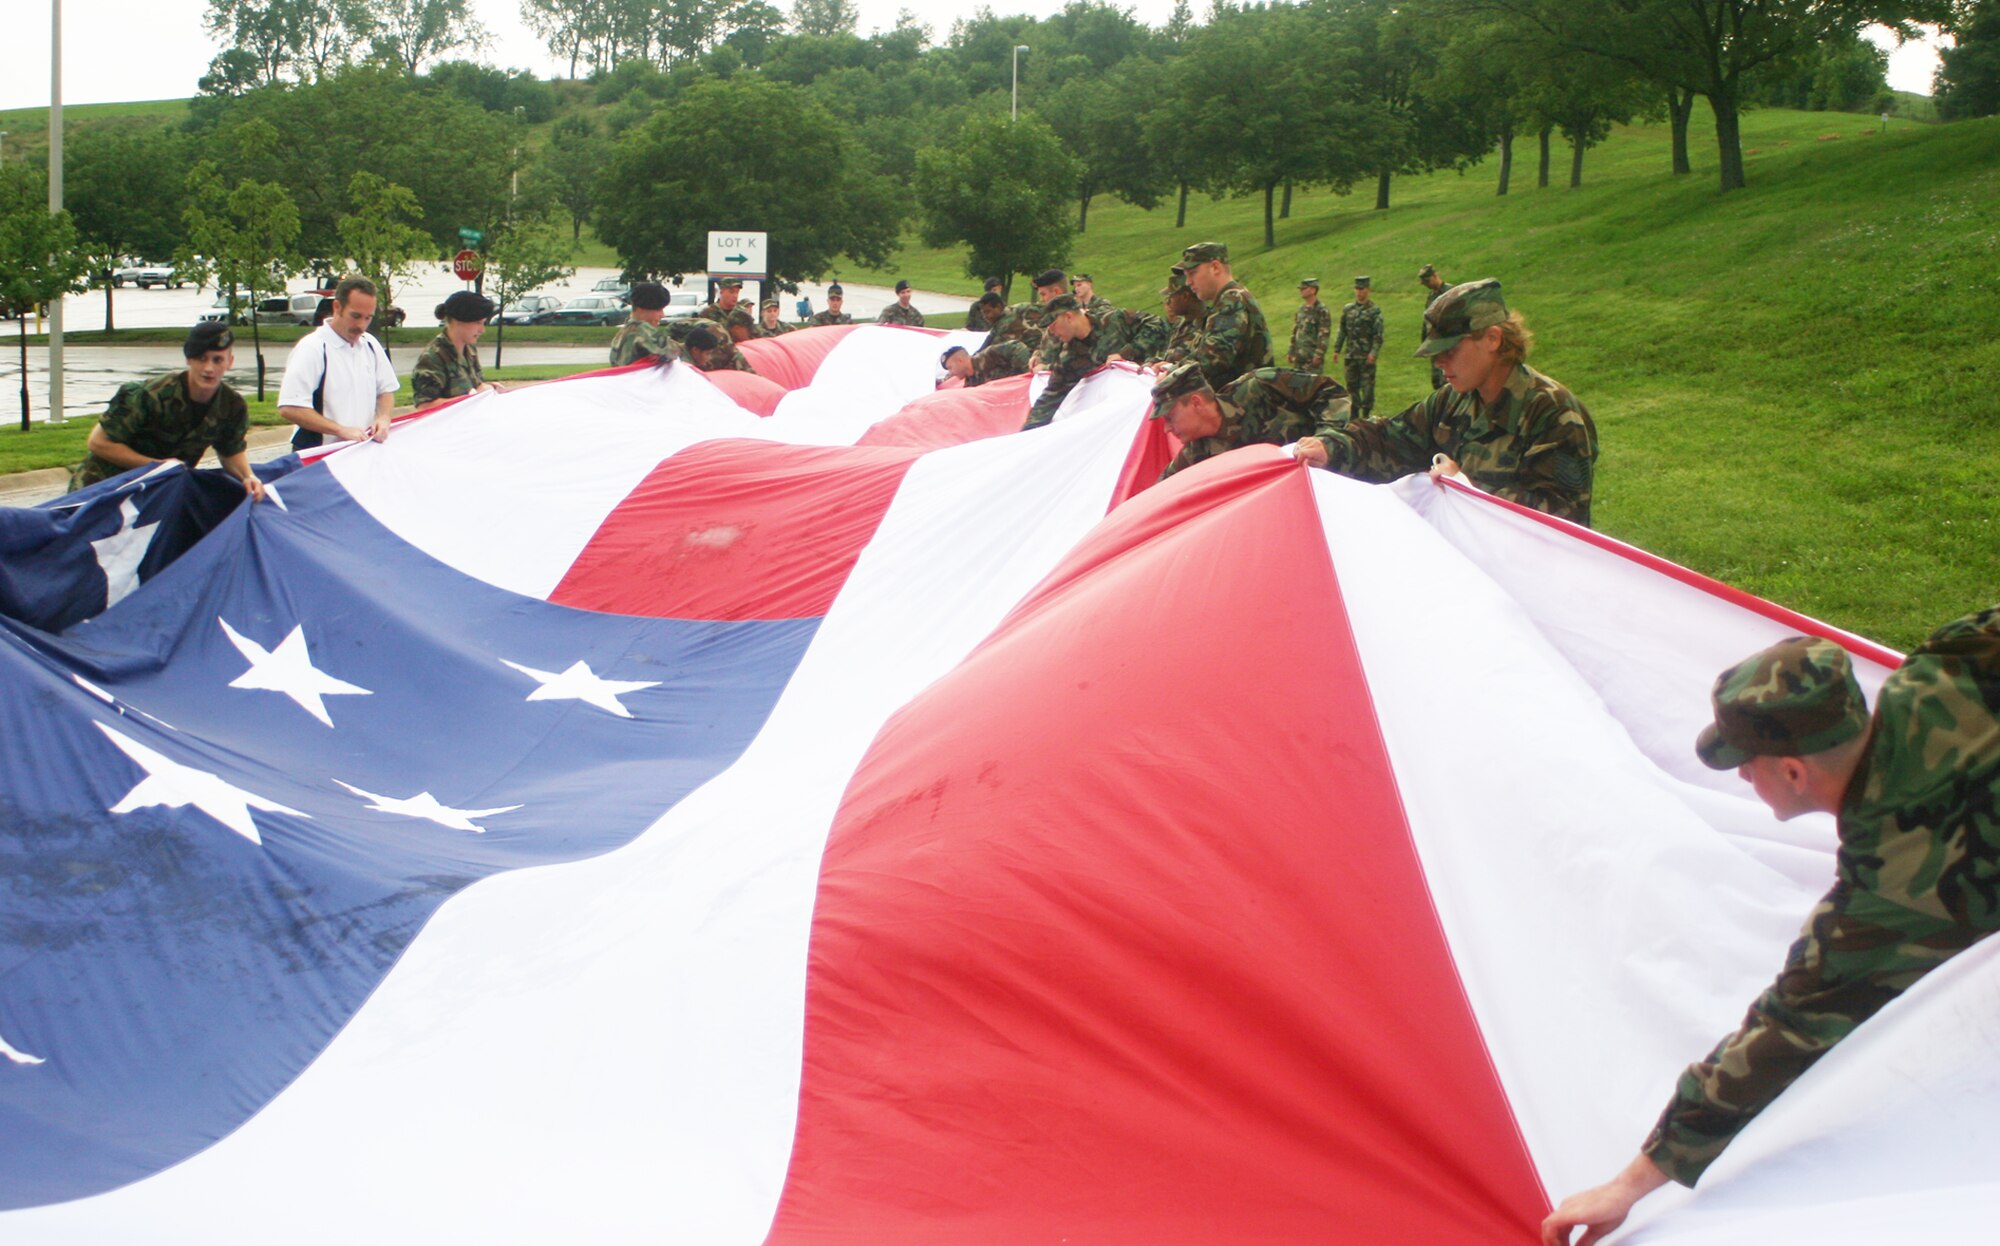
[(241, 237)]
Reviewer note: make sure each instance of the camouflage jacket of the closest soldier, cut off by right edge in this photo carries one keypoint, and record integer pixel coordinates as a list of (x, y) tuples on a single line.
[(1917, 881)]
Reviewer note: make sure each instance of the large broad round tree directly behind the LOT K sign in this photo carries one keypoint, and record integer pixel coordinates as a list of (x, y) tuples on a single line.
[(785, 167)]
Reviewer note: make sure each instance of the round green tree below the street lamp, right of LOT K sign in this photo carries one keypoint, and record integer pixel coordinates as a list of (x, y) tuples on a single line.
[(1001, 189)]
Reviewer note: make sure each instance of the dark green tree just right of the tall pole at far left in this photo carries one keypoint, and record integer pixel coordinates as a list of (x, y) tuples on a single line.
[(101, 169)]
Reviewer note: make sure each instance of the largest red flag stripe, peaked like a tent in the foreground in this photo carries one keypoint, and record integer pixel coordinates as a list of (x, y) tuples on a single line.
[(1121, 933)]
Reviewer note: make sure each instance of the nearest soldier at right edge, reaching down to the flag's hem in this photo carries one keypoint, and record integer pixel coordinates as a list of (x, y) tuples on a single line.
[(1915, 791)]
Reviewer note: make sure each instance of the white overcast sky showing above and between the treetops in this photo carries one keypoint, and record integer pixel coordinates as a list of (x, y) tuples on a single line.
[(157, 51)]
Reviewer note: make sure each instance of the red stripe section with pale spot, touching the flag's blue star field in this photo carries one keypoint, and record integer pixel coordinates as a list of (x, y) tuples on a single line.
[(737, 531)]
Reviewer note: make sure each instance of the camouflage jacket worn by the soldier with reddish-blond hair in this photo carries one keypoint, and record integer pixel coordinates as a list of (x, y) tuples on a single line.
[(1535, 445)]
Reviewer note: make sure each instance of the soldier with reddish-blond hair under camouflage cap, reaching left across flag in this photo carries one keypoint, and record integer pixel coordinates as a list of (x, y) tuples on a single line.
[(1509, 429)]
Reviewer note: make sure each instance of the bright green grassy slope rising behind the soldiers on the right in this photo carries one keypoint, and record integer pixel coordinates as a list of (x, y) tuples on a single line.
[(1795, 385)]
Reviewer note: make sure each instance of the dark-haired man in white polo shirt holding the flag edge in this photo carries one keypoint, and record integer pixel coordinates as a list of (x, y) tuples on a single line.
[(339, 381)]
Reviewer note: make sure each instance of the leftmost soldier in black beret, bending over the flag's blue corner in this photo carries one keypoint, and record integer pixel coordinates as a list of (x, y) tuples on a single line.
[(179, 415)]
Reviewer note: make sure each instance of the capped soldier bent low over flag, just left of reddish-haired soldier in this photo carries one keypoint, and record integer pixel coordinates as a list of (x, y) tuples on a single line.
[(1273, 407)]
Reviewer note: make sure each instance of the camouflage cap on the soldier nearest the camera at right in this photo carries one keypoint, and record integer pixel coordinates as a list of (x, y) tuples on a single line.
[(1789, 701)]
